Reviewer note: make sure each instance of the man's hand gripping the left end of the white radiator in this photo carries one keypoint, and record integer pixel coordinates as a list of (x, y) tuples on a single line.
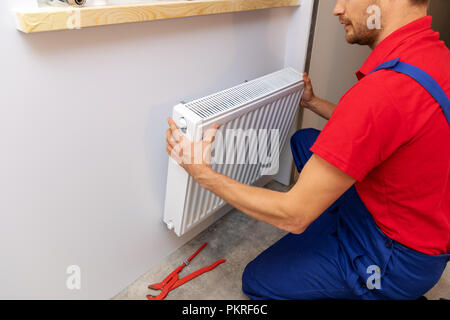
[(194, 157)]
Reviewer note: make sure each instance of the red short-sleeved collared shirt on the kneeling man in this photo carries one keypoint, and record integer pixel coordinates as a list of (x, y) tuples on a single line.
[(390, 134)]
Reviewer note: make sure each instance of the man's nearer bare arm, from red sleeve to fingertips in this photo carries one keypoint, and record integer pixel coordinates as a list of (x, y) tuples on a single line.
[(318, 186)]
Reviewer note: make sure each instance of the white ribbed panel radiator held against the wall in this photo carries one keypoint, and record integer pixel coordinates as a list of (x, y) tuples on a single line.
[(263, 109)]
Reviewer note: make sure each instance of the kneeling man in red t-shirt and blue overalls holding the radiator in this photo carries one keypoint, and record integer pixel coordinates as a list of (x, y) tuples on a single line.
[(369, 217)]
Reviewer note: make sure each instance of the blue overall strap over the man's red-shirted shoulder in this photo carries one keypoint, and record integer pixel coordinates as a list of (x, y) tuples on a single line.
[(423, 78)]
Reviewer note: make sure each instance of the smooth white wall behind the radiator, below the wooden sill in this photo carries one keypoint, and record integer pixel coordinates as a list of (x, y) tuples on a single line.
[(82, 139)]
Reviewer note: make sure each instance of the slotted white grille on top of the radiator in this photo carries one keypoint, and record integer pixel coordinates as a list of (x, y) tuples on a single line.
[(243, 93)]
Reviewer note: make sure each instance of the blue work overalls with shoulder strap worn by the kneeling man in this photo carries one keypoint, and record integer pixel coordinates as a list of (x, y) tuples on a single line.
[(343, 254)]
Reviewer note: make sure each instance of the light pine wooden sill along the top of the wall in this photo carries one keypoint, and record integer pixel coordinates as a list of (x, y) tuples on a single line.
[(51, 19)]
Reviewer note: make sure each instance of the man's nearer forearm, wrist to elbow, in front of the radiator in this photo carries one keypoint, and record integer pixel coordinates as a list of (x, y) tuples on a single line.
[(261, 204)]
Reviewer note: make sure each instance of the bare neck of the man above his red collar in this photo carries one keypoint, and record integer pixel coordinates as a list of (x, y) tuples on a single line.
[(396, 19)]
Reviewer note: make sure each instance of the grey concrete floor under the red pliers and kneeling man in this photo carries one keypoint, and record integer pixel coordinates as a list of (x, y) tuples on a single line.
[(228, 238)]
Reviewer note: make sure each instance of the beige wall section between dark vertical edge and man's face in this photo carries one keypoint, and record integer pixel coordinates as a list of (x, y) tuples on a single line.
[(333, 61)]
